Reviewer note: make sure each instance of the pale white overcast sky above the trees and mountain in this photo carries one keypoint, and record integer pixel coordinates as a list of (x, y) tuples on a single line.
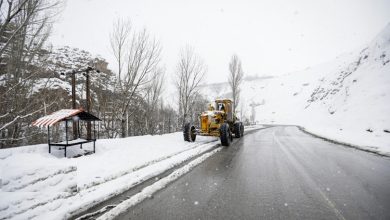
[(270, 37)]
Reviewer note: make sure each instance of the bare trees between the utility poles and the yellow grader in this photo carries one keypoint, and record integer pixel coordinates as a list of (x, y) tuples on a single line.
[(140, 79)]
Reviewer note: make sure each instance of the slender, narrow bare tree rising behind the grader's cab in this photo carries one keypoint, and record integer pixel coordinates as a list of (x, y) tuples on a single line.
[(235, 78)]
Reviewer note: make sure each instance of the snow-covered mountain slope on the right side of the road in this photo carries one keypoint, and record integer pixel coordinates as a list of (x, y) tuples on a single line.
[(347, 99)]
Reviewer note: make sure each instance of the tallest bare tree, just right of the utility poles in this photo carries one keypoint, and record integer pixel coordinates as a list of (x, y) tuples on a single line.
[(138, 56)]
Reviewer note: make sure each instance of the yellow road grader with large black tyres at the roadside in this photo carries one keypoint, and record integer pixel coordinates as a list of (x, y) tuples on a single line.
[(218, 121)]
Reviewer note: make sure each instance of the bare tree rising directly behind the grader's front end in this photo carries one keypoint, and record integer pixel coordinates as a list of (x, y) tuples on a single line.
[(190, 72)]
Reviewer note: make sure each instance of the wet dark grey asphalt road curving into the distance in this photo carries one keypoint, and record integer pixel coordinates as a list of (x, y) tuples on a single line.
[(277, 173)]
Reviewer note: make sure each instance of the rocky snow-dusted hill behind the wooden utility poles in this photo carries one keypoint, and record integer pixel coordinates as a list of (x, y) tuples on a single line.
[(61, 61)]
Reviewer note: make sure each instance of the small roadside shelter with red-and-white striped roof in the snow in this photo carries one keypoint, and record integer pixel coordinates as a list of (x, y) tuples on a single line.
[(68, 116)]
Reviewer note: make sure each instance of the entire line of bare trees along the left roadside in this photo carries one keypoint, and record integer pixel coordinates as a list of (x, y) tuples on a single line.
[(129, 102)]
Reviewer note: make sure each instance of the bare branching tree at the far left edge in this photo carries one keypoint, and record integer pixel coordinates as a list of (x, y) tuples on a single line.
[(24, 28)]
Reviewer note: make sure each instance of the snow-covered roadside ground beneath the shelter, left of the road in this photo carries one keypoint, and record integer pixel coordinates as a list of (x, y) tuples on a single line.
[(37, 184)]
